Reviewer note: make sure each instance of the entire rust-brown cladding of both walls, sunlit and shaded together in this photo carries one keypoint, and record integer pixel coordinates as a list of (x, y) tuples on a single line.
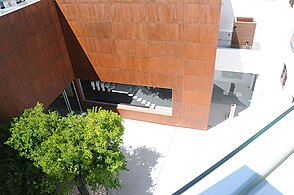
[(166, 43)]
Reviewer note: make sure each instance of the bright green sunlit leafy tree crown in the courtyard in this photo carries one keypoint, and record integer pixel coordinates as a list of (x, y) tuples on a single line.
[(71, 150)]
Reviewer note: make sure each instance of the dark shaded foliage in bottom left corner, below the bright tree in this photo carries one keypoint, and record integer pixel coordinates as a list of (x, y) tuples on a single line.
[(18, 175)]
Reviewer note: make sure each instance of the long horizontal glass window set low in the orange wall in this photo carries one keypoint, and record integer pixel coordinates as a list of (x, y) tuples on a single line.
[(133, 95)]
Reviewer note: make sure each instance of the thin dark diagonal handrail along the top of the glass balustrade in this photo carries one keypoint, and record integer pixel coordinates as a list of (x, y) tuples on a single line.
[(231, 154)]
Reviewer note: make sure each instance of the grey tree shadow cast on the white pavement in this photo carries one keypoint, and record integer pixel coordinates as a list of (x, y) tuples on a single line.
[(138, 180)]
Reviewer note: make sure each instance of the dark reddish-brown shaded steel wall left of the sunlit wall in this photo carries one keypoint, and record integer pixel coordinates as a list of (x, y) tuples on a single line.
[(34, 62)]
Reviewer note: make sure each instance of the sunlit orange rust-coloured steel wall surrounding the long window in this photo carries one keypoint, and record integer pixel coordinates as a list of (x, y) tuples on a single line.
[(162, 43)]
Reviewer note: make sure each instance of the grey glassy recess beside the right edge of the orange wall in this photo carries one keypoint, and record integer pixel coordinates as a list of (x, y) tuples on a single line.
[(232, 93)]
